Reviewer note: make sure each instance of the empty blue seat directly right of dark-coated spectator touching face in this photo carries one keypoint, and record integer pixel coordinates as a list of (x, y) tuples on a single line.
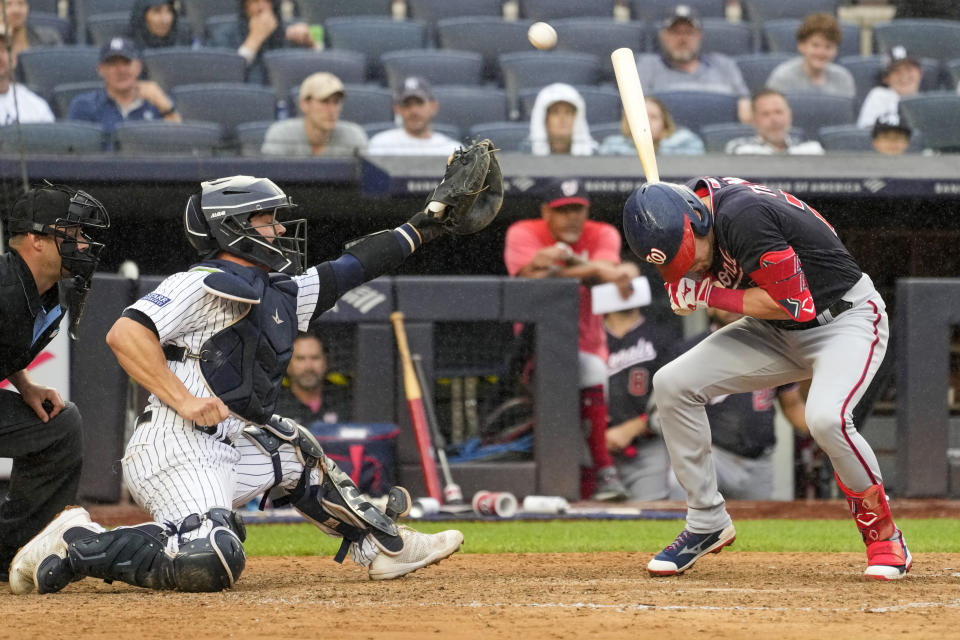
[(372, 36)]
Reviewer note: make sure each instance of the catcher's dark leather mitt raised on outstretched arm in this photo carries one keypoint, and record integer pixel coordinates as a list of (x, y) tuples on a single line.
[(472, 190)]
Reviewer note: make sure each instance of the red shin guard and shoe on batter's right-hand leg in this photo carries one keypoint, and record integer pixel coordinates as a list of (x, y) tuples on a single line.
[(887, 555)]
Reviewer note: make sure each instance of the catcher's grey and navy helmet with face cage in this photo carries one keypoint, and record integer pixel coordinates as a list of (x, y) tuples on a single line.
[(218, 219)]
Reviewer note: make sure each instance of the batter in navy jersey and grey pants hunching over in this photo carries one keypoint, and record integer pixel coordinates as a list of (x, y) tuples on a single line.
[(810, 312)]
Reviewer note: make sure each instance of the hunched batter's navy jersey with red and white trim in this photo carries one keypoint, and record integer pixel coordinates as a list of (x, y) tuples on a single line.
[(752, 221)]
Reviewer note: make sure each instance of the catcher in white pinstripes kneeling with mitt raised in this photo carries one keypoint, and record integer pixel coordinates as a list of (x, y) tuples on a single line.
[(211, 344)]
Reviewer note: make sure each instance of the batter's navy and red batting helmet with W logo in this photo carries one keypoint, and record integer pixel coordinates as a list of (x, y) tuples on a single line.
[(659, 221)]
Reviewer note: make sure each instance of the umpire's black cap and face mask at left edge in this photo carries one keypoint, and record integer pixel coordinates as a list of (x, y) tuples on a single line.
[(66, 214)]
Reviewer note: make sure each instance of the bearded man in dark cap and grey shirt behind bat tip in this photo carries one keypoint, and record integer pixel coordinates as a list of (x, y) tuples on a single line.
[(681, 65)]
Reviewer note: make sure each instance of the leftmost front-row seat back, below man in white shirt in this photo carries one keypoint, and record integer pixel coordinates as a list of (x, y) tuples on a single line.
[(52, 138)]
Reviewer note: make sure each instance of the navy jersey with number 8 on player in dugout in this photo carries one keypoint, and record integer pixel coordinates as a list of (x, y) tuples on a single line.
[(633, 360)]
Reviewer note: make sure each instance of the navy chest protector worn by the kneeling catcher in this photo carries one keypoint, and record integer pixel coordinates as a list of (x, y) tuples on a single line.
[(244, 363)]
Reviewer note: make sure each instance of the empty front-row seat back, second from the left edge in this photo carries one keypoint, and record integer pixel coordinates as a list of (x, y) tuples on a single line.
[(158, 137)]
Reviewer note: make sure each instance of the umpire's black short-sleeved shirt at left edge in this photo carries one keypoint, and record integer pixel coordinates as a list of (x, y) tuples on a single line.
[(28, 321)]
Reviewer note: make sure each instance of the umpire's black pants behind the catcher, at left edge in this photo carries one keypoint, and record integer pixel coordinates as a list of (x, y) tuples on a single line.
[(47, 459)]
